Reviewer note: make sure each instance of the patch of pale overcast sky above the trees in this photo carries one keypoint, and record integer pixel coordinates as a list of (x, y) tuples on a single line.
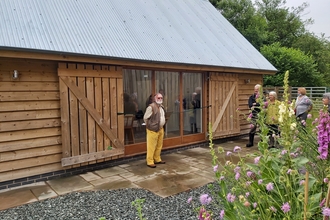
[(319, 11)]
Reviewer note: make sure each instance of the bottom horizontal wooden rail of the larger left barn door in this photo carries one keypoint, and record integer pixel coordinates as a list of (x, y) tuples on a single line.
[(92, 156)]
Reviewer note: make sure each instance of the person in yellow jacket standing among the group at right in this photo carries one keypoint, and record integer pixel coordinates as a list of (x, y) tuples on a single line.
[(272, 117)]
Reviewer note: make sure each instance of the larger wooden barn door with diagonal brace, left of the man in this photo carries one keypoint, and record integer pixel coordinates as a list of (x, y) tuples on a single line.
[(91, 96)]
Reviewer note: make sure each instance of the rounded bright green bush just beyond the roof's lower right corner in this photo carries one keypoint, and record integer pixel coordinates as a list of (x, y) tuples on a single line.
[(302, 67)]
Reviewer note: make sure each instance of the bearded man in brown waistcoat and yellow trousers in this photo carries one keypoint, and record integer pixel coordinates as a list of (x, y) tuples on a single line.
[(154, 118)]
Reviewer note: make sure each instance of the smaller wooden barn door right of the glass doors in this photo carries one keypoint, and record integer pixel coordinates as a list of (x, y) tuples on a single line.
[(223, 96)]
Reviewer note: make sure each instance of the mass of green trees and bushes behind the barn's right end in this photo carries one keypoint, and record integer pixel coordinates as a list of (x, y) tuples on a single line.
[(270, 22)]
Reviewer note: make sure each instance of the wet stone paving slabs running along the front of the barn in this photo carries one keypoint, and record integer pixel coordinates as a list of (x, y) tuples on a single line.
[(184, 170)]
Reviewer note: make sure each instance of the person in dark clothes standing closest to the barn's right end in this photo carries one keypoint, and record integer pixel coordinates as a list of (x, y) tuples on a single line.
[(255, 109)]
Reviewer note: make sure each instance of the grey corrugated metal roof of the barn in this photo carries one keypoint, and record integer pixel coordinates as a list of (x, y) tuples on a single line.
[(172, 31)]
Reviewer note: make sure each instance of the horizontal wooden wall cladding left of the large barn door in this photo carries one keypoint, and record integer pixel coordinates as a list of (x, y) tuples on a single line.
[(30, 119)]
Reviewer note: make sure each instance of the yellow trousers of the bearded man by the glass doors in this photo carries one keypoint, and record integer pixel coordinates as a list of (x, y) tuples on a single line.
[(154, 146)]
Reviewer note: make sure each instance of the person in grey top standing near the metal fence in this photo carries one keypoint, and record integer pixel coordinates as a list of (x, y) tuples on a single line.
[(303, 105)]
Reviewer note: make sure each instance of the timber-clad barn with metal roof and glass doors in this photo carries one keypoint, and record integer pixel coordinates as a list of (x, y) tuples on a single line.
[(76, 76)]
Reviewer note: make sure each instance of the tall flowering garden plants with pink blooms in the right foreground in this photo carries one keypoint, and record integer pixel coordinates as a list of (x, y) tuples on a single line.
[(273, 183)]
